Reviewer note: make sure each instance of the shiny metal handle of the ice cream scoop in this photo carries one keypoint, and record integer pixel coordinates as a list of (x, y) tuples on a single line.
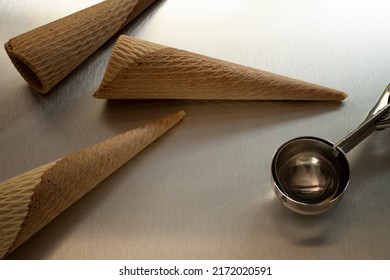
[(378, 118)]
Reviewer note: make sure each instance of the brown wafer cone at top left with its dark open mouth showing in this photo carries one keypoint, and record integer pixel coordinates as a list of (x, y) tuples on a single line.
[(47, 54)]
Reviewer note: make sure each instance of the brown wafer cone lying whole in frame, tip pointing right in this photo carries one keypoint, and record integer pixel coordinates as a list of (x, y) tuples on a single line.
[(141, 70)]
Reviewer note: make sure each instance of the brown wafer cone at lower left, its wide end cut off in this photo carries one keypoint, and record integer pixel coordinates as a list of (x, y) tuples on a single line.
[(31, 200)]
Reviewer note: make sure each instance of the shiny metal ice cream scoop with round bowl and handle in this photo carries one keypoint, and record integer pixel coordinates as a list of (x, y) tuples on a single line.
[(310, 174)]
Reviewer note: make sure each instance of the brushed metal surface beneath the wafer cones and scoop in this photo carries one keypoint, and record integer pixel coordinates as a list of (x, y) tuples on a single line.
[(203, 190)]
